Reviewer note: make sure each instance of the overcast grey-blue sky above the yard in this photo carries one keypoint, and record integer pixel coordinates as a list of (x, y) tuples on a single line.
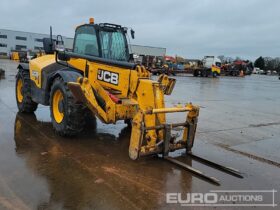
[(189, 28)]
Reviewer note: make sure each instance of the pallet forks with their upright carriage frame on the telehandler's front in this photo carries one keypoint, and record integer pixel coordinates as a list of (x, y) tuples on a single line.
[(189, 126)]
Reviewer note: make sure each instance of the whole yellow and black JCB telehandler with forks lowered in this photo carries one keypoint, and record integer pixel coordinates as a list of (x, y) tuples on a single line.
[(96, 78)]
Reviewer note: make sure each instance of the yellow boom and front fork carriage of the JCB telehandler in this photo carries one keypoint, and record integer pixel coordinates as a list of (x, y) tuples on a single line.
[(141, 100)]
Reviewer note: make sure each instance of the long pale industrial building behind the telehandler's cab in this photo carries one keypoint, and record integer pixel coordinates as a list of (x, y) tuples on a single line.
[(23, 41)]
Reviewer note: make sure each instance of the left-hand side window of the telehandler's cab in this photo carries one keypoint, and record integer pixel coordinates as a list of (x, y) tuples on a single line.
[(86, 41)]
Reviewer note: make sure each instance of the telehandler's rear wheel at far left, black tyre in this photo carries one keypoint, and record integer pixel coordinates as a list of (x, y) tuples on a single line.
[(26, 104)]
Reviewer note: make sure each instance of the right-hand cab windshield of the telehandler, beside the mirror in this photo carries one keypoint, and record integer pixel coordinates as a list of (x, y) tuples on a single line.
[(113, 45)]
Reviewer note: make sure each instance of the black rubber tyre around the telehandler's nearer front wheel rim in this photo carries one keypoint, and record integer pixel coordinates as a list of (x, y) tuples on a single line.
[(74, 114)]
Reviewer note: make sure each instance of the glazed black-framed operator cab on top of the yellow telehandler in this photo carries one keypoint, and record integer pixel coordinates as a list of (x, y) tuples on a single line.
[(102, 40)]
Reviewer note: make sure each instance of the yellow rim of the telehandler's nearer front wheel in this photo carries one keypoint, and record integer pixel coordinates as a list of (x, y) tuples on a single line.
[(57, 106)]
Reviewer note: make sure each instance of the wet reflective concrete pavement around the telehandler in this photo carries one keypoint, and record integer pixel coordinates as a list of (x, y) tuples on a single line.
[(238, 126)]
